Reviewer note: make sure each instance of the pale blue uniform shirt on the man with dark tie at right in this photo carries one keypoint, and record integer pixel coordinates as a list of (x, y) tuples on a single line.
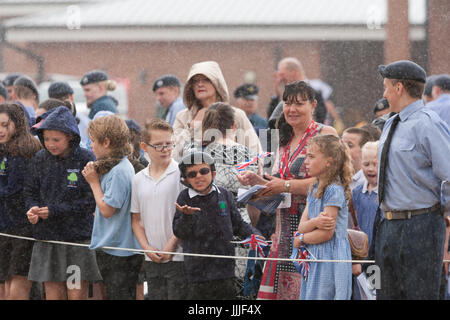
[(418, 168)]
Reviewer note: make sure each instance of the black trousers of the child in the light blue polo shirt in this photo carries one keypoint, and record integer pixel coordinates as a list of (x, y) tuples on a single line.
[(120, 274)]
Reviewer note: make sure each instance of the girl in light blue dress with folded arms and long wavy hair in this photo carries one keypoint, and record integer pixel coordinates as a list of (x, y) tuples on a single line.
[(323, 226)]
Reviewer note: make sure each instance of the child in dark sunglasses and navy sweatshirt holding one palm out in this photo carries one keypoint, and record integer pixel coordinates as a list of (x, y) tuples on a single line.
[(206, 220)]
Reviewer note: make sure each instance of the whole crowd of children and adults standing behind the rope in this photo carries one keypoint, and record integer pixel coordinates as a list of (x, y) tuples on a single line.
[(109, 189)]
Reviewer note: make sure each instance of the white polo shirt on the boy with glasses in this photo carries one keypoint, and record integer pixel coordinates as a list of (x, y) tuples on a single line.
[(155, 201)]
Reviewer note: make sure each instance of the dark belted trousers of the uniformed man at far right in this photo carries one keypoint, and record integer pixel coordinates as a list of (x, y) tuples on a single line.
[(409, 254)]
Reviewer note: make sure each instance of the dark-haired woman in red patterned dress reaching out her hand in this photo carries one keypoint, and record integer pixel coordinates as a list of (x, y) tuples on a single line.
[(281, 281)]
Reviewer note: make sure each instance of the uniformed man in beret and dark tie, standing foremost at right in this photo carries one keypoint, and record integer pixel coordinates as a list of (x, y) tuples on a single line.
[(413, 189)]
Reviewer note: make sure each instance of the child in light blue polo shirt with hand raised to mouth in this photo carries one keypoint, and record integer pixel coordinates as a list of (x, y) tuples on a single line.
[(110, 179)]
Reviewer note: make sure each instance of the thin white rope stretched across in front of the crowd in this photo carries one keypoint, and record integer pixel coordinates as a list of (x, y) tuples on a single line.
[(141, 251)]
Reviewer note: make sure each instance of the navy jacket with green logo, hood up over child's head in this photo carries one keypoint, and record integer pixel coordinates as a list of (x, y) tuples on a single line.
[(57, 183)]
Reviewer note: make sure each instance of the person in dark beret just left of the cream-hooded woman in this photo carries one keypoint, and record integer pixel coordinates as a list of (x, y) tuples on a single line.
[(167, 91)]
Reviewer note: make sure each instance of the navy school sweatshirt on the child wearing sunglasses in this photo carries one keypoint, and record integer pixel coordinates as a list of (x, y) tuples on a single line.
[(210, 231)]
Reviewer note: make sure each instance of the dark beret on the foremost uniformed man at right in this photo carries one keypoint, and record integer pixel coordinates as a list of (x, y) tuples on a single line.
[(403, 70)]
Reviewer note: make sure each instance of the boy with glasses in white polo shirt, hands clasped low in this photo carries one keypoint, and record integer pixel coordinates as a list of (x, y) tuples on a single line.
[(154, 192)]
